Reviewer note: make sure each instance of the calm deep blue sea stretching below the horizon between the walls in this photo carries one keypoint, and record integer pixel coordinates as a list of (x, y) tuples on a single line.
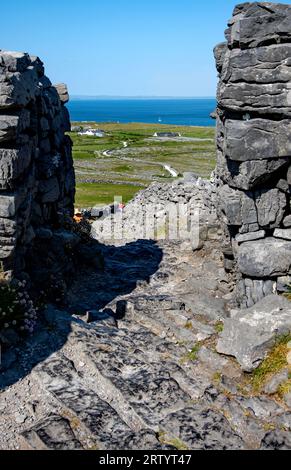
[(186, 112)]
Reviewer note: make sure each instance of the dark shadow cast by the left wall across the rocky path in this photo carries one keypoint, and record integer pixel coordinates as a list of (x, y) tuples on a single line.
[(91, 290)]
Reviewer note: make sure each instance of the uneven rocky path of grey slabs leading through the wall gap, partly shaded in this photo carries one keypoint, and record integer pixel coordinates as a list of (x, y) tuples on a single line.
[(140, 371)]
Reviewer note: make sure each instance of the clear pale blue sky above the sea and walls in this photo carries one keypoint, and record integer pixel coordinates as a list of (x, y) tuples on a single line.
[(121, 47)]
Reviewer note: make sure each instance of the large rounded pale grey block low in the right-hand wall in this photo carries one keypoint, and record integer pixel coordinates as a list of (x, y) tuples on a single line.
[(269, 257)]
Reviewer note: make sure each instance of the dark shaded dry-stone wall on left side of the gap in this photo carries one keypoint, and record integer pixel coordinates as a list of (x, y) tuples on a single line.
[(37, 181)]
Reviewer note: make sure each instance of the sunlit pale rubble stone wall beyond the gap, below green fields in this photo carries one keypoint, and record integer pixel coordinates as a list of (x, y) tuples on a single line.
[(182, 211)]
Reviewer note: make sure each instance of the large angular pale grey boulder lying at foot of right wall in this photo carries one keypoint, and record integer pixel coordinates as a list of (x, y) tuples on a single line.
[(251, 333)]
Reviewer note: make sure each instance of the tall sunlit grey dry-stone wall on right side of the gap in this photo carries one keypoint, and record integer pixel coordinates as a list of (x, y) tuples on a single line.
[(254, 148)]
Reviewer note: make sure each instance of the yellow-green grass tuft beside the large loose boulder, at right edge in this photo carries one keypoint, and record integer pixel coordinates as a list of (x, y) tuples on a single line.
[(274, 363)]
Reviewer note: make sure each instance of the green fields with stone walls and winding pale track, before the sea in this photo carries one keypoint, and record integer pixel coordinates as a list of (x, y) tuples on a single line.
[(126, 170)]
